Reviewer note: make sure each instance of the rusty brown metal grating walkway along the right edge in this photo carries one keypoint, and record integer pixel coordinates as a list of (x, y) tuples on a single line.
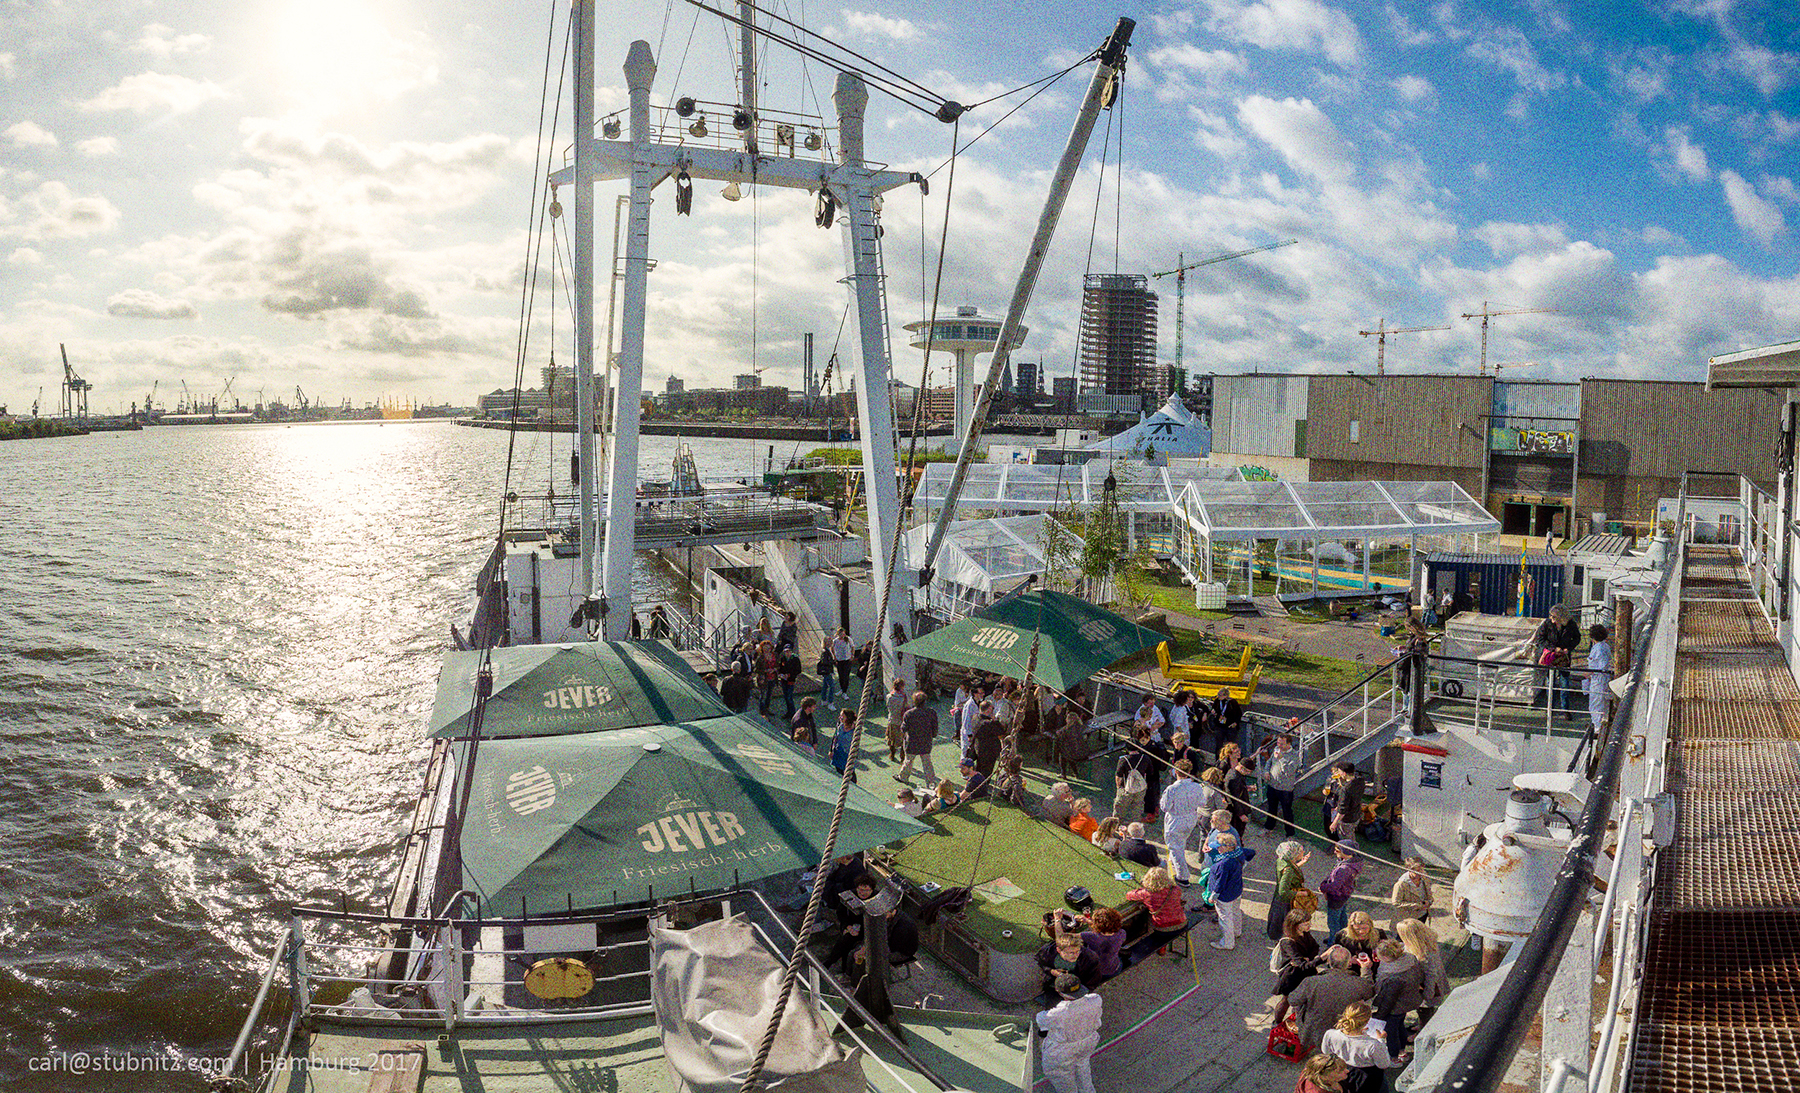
[(1722, 975)]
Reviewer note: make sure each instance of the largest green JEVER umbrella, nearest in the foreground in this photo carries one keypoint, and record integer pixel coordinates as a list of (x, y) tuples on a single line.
[(607, 818)]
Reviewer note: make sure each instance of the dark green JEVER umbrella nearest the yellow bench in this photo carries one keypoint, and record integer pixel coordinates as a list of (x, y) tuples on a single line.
[(1079, 638)]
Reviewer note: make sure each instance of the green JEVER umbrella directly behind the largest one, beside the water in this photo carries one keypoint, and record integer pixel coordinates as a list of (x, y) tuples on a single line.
[(548, 691)]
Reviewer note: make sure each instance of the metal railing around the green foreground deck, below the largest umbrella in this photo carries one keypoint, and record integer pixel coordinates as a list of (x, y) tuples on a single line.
[(359, 970)]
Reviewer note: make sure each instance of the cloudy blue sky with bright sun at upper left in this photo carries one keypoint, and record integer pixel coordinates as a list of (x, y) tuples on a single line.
[(336, 195)]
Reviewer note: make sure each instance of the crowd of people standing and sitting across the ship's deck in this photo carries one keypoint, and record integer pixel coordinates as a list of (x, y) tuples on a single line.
[(1347, 997)]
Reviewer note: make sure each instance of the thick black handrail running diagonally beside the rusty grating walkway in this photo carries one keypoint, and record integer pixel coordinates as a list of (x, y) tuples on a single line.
[(1491, 1047)]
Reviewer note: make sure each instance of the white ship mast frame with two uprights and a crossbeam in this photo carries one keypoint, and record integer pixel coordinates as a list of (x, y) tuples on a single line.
[(647, 161)]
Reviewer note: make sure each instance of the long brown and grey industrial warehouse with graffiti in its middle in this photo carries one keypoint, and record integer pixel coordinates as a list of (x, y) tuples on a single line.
[(1542, 456)]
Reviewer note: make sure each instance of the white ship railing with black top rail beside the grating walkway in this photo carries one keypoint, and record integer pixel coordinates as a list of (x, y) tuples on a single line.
[(1547, 982)]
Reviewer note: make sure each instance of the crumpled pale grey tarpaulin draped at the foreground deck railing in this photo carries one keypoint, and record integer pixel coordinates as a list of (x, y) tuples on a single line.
[(714, 989)]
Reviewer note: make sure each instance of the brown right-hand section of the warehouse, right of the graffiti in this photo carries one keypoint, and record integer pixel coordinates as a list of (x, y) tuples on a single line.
[(1637, 437)]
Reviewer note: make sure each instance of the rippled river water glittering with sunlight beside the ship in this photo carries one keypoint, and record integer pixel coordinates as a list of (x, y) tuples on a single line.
[(217, 656)]
